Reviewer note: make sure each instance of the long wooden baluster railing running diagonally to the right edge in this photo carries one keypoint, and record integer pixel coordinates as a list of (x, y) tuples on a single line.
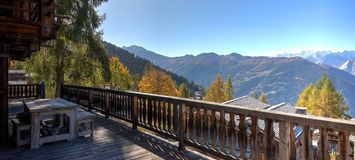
[(230, 132)]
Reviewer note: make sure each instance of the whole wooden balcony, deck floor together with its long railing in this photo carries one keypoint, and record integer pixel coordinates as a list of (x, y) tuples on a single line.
[(218, 130)]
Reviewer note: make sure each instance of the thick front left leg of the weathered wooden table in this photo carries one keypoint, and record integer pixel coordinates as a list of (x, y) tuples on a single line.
[(35, 130)]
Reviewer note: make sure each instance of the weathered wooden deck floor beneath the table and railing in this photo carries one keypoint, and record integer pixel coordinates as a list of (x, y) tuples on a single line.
[(112, 140)]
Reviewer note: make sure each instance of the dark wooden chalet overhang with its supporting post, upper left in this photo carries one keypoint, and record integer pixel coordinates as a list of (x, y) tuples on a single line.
[(24, 26)]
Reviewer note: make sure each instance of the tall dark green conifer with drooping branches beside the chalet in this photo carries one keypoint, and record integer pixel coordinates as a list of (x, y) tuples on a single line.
[(82, 29)]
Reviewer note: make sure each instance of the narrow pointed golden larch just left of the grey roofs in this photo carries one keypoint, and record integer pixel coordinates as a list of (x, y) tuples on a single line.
[(215, 93)]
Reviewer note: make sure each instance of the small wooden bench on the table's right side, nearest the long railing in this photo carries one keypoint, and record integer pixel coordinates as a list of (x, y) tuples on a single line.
[(85, 122)]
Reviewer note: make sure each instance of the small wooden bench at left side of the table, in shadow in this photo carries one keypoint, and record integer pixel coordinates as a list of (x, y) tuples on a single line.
[(20, 127)]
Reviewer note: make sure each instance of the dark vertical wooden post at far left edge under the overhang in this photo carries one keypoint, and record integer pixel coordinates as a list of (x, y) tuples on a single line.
[(4, 69)]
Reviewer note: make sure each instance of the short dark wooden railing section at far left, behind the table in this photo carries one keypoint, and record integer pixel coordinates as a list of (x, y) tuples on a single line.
[(17, 91)]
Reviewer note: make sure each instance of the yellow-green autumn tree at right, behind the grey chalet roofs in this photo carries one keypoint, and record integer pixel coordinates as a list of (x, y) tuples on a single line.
[(322, 99)]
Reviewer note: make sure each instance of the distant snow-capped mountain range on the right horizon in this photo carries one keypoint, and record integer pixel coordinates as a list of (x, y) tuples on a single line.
[(342, 60)]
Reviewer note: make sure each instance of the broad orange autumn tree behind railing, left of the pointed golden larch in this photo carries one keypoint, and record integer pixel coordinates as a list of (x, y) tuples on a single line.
[(157, 82)]
